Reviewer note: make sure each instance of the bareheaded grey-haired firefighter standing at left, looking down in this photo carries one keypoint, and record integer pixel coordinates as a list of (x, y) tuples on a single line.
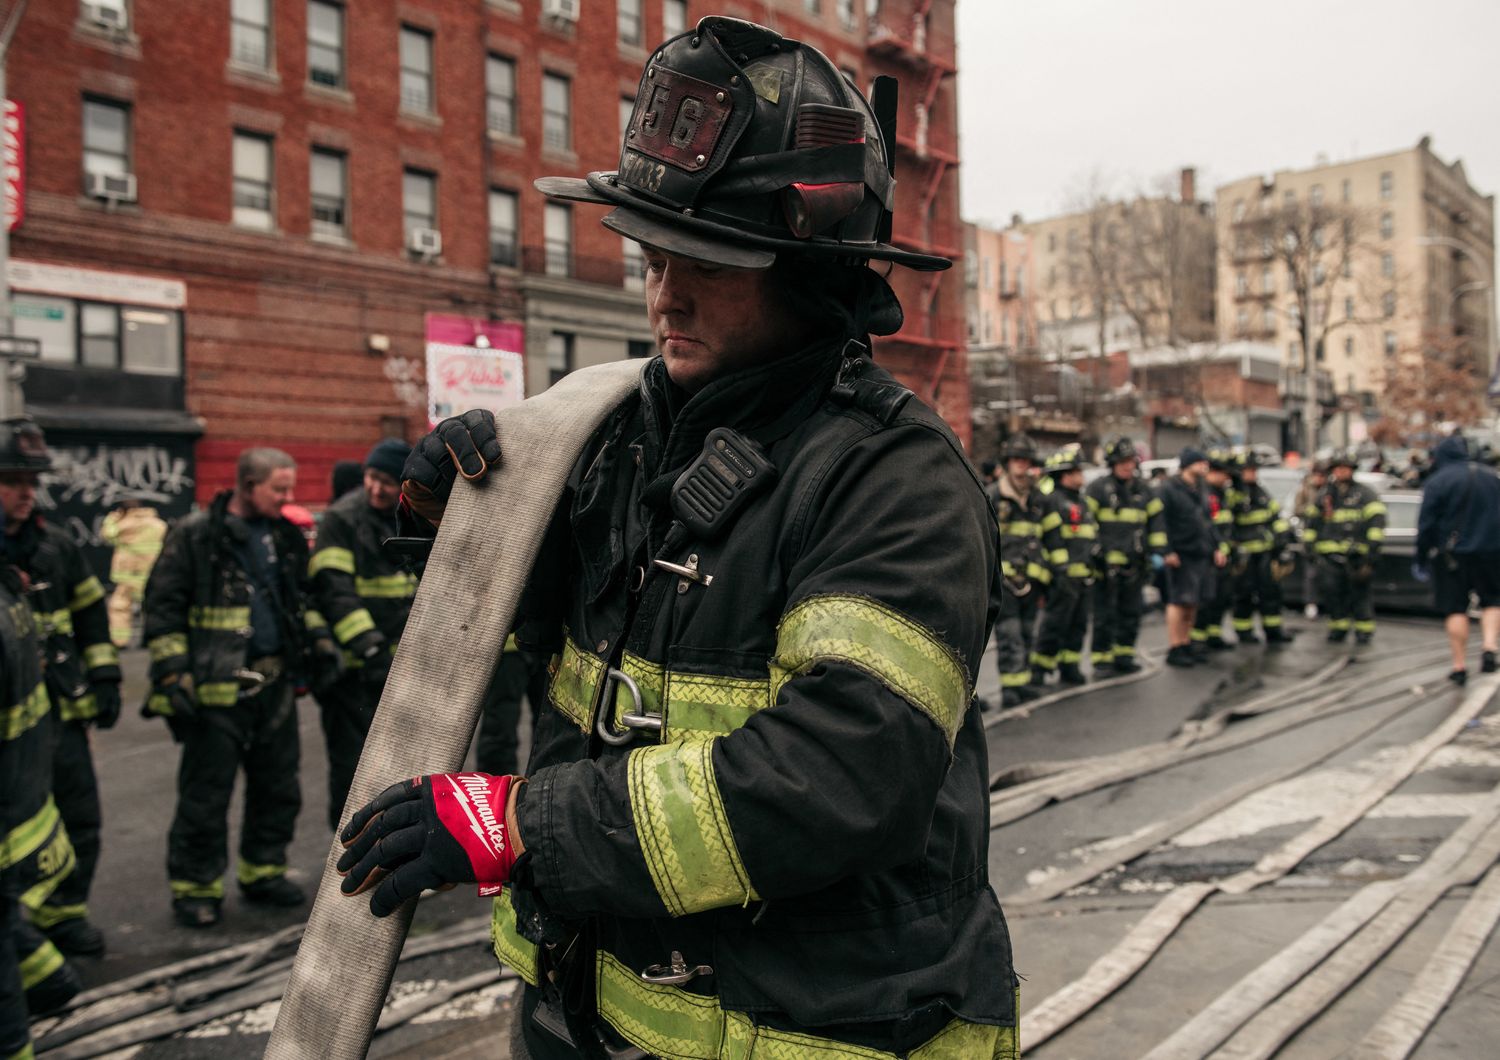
[(227, 627)]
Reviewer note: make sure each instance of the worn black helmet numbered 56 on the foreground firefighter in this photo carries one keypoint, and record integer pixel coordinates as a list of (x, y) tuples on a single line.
[(745, 148)]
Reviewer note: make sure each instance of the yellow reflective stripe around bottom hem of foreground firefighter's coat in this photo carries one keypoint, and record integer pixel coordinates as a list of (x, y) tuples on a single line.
[(670, 1022)]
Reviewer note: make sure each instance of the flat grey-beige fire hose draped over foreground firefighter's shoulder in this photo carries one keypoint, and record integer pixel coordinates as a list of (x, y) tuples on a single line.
[(464, 609)]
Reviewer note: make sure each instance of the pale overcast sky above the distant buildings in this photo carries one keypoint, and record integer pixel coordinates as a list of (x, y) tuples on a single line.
[(1051, 91)]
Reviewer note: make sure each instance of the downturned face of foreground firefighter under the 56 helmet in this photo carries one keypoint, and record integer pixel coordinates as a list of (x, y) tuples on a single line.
[(710, 322)]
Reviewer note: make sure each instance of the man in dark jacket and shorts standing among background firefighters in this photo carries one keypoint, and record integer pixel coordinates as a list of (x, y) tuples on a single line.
[(1193, 552)]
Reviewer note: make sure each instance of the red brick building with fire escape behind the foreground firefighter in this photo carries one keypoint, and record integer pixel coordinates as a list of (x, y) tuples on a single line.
[(247, 220)]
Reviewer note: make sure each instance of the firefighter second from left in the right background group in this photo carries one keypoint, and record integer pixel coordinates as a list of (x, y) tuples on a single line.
[(1070, 543)]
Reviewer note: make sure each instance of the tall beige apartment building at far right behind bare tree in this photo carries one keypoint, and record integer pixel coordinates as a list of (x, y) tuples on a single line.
[(1384, 257)]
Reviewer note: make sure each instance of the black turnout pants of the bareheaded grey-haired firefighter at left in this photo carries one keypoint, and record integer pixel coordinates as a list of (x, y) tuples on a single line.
[(260, 737)]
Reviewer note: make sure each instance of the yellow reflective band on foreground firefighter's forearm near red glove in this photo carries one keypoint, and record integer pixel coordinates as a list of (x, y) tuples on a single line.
[(683, 828)]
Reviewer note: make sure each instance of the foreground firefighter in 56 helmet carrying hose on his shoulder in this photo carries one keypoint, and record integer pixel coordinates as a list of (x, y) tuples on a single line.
[(784, 840)]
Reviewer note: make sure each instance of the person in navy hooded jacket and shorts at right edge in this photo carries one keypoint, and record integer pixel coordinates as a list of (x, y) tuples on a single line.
[(1459, 539)]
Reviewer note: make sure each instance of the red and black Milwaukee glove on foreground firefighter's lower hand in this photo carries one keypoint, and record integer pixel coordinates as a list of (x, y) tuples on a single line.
[(430, 833)]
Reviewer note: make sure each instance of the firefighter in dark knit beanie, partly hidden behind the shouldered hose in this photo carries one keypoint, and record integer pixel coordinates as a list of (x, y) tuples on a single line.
[(365, 599)]
